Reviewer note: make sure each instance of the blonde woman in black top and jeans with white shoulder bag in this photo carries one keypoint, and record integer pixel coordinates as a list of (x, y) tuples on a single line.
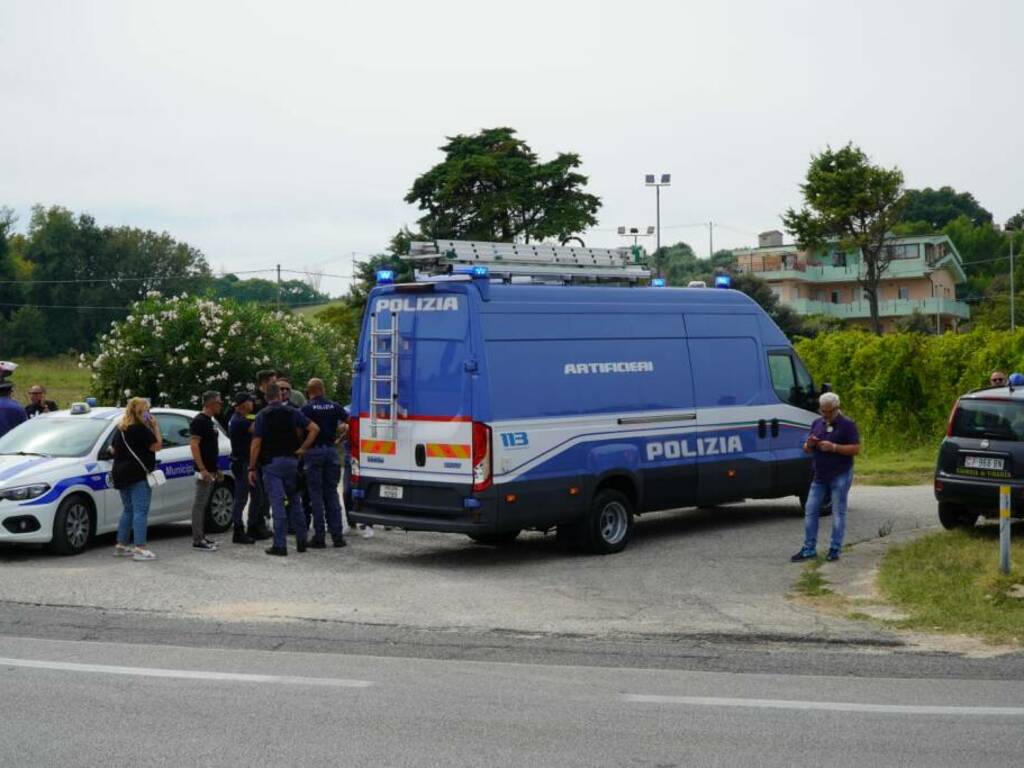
[(137, 442)]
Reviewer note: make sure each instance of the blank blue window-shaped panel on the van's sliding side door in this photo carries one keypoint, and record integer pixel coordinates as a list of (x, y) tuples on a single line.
[(726, 372)]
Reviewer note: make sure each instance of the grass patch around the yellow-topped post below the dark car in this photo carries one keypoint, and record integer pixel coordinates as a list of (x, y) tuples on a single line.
[(951, 582)]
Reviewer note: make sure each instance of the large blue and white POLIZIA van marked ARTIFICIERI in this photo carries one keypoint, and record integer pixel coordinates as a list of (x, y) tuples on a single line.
[(486, 408)]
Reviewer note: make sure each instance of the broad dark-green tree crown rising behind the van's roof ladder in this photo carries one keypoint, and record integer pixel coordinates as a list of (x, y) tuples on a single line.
[(491, 187)]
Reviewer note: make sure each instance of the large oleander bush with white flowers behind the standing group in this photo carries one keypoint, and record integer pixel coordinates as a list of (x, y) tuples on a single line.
[(174, 350)]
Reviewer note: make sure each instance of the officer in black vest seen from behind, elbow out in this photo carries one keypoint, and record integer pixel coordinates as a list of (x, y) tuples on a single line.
[(277, 447)]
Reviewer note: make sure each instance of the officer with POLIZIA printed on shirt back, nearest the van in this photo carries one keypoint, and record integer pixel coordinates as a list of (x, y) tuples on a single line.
[(323, 465)]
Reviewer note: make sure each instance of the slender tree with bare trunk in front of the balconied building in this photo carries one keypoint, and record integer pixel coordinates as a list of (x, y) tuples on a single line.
[(855, 204)]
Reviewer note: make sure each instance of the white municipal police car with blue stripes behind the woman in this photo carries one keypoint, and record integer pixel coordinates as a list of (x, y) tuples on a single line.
[(56, 479)]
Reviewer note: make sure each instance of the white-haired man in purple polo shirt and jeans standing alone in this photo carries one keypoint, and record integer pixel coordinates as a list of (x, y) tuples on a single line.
[(834, 442)]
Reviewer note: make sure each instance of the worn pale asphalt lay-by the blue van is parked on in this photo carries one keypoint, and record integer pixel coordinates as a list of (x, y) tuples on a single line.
[(722, 573)]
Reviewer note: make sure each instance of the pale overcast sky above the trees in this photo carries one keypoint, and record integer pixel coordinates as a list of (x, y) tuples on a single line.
[(267, 133)]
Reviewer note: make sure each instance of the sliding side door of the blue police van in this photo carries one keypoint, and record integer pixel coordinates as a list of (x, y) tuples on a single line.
[(734, 440)]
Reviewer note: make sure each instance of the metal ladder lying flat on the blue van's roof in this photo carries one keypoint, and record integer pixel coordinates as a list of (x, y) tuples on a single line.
[(541, 262)]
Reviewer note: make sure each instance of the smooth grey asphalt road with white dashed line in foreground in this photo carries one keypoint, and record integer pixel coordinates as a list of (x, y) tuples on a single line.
[(114, 705)]
